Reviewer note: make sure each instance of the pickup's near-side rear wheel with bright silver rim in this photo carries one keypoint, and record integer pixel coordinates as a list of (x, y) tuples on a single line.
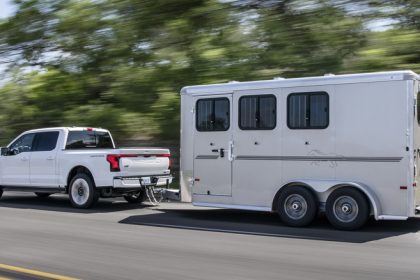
[(82, 191)]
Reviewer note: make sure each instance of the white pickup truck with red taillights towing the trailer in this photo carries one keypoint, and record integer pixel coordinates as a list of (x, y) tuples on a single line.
[(82, 162)]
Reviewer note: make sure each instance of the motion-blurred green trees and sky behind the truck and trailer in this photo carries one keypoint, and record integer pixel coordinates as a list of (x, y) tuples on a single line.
[(120, 64)]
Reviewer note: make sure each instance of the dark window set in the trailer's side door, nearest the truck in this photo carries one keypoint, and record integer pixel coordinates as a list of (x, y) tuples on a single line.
[(213, 114)]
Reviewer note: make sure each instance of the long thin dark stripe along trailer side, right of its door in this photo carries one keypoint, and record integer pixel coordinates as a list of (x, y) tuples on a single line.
[(311, 158)]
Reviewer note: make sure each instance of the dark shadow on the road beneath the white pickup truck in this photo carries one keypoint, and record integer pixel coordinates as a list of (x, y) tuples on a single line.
[(61, 203)]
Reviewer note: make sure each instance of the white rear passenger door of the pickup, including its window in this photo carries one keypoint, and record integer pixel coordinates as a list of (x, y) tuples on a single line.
[(44, 160)]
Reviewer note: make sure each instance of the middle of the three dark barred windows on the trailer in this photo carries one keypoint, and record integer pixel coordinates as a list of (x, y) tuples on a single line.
[(257, 112)]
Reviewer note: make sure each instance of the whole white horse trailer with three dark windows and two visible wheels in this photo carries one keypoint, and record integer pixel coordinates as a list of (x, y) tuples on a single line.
[(346, 145)]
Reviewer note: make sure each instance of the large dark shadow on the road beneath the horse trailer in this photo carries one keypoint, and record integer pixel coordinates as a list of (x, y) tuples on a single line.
[(268, 224)]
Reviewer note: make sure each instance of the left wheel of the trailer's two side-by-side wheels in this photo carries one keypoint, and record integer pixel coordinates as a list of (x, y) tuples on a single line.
[(297, 206)]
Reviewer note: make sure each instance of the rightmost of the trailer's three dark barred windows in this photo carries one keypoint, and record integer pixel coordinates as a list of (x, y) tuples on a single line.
[(308, 110)]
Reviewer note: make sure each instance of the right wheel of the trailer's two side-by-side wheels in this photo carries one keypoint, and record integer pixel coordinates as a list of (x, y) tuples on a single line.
[(347, 209)]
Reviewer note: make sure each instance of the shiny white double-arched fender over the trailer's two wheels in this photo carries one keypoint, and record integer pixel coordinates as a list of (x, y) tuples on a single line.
[(323, 188)]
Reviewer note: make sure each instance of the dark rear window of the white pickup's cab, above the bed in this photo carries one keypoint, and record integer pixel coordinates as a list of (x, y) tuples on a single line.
[(89, 140)]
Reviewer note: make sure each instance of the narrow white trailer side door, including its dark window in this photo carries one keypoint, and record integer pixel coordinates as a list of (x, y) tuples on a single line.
[(212, 144)]
